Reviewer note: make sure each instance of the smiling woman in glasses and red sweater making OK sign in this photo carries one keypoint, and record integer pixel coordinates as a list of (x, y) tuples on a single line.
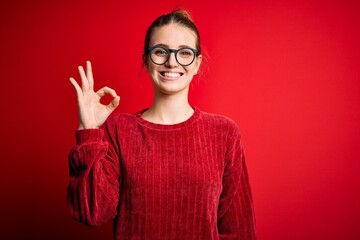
[(167, 172)]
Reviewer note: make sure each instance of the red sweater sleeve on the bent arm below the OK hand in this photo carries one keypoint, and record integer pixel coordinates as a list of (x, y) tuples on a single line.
[(93, 190)]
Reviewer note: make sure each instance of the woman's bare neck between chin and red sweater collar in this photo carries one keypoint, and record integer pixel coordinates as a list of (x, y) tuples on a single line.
[(169, 109)]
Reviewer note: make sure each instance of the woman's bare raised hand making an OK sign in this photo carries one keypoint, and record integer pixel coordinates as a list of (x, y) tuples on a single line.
[(92, 113)]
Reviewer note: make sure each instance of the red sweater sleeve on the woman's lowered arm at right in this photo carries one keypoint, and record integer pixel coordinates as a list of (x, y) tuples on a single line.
[(236, 218)]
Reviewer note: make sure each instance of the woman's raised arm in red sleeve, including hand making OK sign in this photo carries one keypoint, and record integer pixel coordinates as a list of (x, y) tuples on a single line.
[(93, 191)]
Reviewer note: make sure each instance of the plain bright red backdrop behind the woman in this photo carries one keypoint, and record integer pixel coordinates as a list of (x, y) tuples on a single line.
[(286, 72)]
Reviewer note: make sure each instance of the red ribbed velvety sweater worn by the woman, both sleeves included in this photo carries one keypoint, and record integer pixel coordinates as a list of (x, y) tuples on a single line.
[(181, 181)]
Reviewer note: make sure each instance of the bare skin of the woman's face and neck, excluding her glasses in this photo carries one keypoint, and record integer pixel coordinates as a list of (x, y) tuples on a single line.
[(171, 104)]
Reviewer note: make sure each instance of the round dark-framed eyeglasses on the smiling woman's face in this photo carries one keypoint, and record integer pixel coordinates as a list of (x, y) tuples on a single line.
[(160, 55)]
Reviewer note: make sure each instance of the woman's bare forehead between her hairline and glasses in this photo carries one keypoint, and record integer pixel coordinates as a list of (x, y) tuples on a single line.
[(173, 35)]
